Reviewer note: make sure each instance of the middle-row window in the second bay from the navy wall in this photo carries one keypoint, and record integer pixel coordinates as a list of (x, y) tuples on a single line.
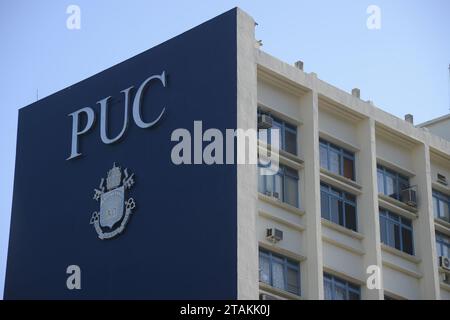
[(338, 206)]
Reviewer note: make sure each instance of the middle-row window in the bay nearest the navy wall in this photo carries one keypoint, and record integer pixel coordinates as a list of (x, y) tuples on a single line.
[(282, 185)]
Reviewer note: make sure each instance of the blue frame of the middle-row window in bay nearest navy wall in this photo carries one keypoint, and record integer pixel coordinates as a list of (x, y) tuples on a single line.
[(283, 172)]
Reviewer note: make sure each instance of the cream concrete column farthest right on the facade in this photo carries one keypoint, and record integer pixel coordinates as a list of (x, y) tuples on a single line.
[(424, 236)]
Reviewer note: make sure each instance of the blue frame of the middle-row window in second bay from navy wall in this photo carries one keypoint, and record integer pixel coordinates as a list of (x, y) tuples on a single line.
[(343, 197)]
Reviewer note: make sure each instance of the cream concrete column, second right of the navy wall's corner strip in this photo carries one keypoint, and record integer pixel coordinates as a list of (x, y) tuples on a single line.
[(368, 215)]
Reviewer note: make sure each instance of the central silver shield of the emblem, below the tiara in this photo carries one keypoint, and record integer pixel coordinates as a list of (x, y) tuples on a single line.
[(111, 207)]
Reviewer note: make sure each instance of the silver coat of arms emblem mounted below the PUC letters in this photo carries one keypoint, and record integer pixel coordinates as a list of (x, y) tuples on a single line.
[(115, 211)]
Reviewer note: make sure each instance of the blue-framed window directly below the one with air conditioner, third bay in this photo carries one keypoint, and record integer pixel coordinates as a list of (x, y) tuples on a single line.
[(396, 231)]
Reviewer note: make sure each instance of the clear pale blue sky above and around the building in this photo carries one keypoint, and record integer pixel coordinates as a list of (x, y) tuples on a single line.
[(403, 67)]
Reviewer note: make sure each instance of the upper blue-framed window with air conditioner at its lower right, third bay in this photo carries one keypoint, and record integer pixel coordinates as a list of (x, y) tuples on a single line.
[(391, 183)]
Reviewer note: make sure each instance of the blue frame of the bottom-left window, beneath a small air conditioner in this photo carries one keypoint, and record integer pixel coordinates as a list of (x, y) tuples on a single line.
[(288, 264)]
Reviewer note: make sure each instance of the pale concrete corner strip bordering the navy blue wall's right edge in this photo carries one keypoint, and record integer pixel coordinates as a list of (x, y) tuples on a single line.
[(247, 250)]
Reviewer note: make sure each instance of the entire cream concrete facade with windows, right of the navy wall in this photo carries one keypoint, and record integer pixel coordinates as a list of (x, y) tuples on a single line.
[(358, 190)]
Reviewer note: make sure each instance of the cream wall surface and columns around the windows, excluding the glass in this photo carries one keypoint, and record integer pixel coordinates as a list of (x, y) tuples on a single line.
[(376, 137)]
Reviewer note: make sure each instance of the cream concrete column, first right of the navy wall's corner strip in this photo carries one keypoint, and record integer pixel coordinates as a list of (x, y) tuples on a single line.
[(309, 139)]
